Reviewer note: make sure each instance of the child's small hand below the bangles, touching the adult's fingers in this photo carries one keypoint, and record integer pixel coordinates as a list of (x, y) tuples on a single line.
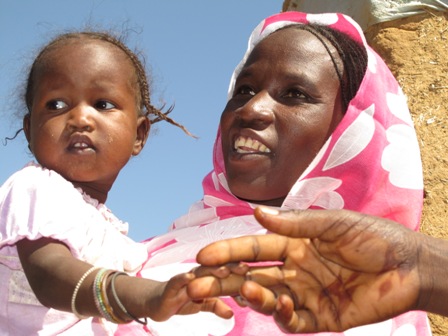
[(174, 300)]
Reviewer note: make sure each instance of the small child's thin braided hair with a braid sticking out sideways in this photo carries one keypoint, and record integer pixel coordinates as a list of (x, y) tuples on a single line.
[(143, 98)]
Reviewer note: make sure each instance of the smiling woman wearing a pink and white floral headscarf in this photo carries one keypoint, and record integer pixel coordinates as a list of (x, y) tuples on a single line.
[(314, 119)]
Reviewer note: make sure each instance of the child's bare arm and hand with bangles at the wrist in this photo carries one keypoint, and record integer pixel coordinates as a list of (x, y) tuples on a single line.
[(54, 273)]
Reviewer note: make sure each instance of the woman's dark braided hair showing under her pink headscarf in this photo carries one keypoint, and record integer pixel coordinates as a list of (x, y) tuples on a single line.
[(352, 53)]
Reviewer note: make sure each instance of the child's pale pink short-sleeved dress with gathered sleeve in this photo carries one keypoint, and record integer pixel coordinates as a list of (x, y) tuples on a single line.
[(36, 202)]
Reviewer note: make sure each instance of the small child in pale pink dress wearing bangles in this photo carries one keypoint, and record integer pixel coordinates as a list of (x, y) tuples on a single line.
[(64, 257)]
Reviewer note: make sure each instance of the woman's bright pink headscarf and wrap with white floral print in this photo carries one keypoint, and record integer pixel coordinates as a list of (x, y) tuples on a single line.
[(371, 163)]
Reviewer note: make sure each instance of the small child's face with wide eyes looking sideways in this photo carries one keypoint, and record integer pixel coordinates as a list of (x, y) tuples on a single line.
[(84, 122)]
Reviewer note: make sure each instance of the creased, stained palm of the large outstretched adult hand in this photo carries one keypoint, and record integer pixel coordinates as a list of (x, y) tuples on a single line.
[(338, 285)]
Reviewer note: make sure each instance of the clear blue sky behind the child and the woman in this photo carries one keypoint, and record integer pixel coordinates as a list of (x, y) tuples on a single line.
[(191, 48)]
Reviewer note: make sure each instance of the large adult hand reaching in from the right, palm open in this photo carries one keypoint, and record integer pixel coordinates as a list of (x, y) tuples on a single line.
[(340, 269)]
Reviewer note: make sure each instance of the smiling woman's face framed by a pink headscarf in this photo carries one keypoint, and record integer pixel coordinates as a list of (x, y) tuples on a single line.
[(285, 105)]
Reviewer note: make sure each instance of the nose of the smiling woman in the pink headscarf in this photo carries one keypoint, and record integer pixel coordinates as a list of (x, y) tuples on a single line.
[(258, 111)]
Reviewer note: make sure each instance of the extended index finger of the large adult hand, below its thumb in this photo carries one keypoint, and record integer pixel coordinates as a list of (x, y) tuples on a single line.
[(248, 248)]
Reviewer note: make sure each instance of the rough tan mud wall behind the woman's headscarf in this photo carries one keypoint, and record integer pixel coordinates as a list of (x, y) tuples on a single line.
[(416, 50)]
